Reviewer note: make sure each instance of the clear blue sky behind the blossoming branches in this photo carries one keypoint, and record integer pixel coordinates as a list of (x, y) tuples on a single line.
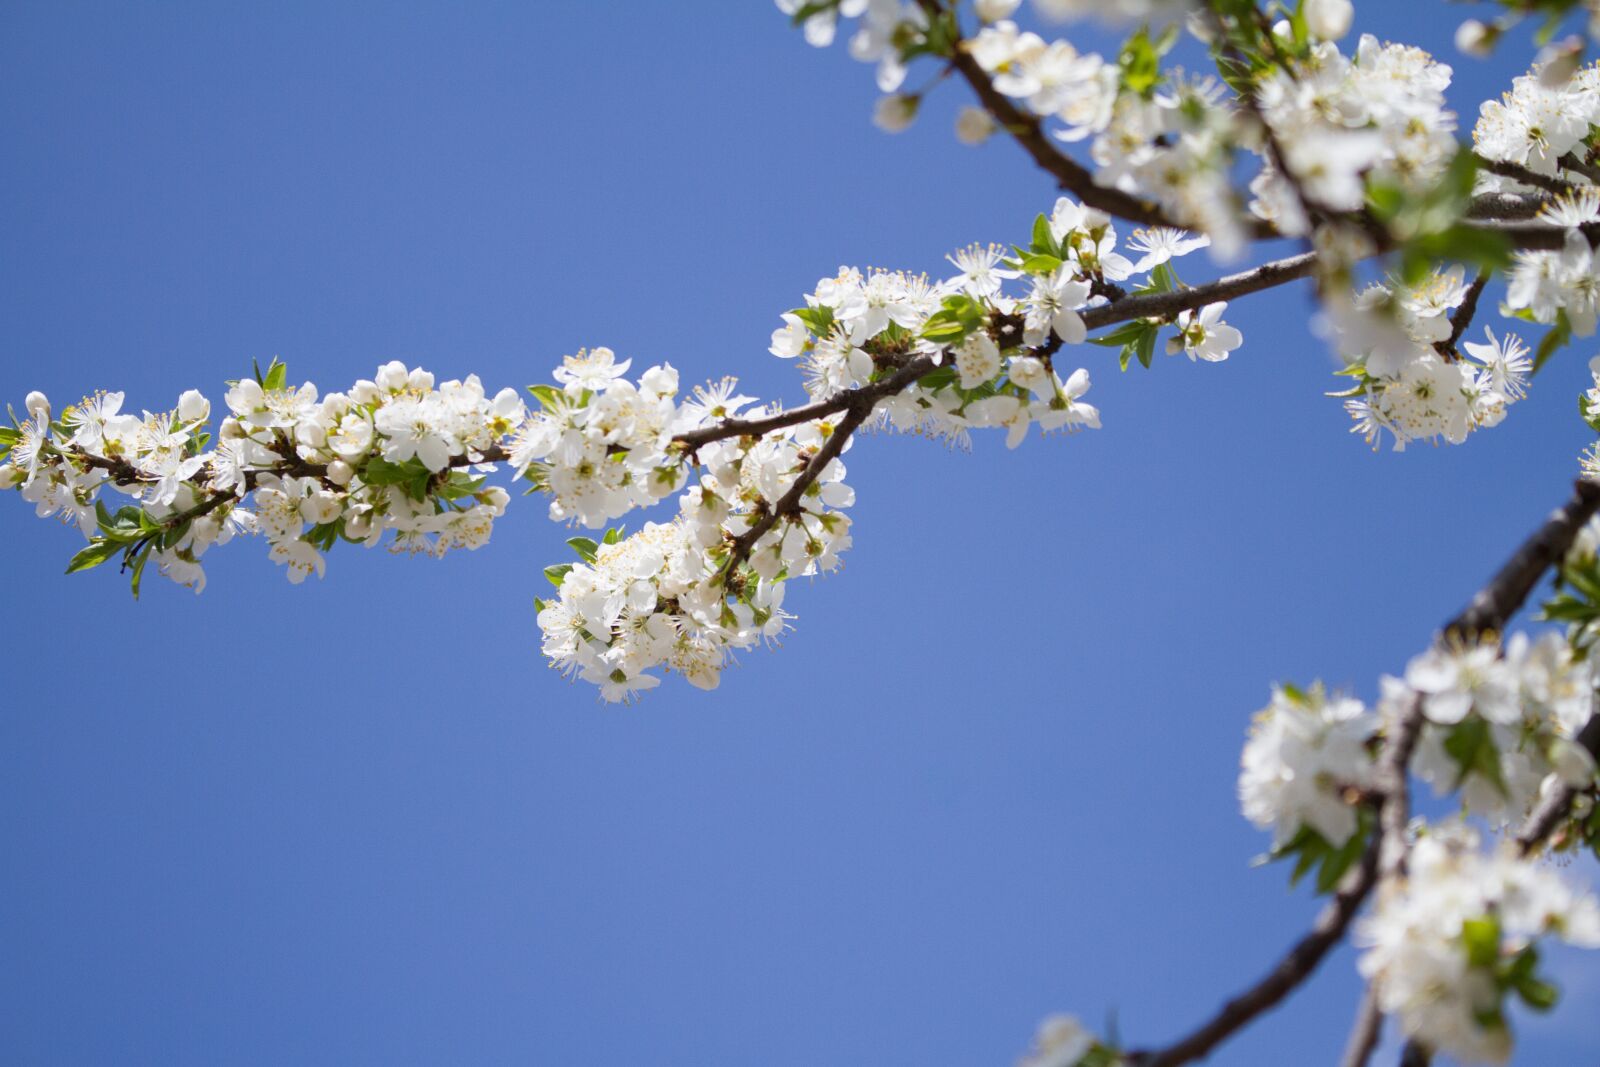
[(990, 777)]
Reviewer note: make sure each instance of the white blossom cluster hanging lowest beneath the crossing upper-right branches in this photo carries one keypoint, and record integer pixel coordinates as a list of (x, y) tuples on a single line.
[(1410, 382)]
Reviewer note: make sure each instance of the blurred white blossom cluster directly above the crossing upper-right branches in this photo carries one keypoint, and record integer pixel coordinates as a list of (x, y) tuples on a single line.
[(1343, 122)]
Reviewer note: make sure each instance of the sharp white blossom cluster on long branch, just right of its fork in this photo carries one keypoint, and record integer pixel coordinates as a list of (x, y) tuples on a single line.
[(993, 346)]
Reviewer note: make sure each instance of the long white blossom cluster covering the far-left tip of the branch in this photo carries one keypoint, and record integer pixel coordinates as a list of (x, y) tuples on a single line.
[(390, 455)]
